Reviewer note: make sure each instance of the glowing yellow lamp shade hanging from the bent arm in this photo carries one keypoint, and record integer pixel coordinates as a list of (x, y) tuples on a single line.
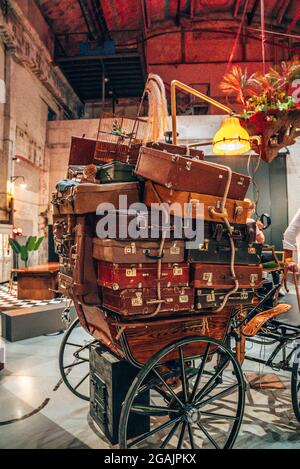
[(232, 138)]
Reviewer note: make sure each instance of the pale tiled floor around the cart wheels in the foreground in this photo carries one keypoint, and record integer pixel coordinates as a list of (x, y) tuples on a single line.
[(37, 411)]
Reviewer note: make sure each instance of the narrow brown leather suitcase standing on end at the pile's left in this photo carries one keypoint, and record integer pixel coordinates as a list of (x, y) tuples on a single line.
[(85, 287)]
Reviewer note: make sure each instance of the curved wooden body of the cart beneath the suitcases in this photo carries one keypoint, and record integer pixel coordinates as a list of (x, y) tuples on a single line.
[(143, 340)]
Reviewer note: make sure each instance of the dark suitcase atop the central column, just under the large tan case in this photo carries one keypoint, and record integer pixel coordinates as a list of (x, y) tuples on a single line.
[(134, 224)]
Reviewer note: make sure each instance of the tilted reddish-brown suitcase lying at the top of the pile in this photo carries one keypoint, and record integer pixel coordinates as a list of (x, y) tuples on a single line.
[(186, 174)]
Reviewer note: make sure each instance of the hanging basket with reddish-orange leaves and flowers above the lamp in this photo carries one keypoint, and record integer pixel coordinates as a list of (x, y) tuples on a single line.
[(269, 109)]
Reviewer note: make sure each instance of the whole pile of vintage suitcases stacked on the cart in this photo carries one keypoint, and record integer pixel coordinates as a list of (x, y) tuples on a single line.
[(154, 277)]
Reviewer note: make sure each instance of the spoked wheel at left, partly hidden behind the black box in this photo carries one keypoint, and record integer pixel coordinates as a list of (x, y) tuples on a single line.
[(74, 360)]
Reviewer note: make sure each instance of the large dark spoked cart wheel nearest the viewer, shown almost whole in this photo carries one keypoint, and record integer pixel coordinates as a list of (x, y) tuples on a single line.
[(203, 409)]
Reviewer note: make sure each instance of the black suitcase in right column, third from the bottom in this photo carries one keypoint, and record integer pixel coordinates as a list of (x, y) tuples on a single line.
[(213, 251)]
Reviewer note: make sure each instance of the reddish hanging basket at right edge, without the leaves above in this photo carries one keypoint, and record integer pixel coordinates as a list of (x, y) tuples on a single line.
[(277, 130)]
